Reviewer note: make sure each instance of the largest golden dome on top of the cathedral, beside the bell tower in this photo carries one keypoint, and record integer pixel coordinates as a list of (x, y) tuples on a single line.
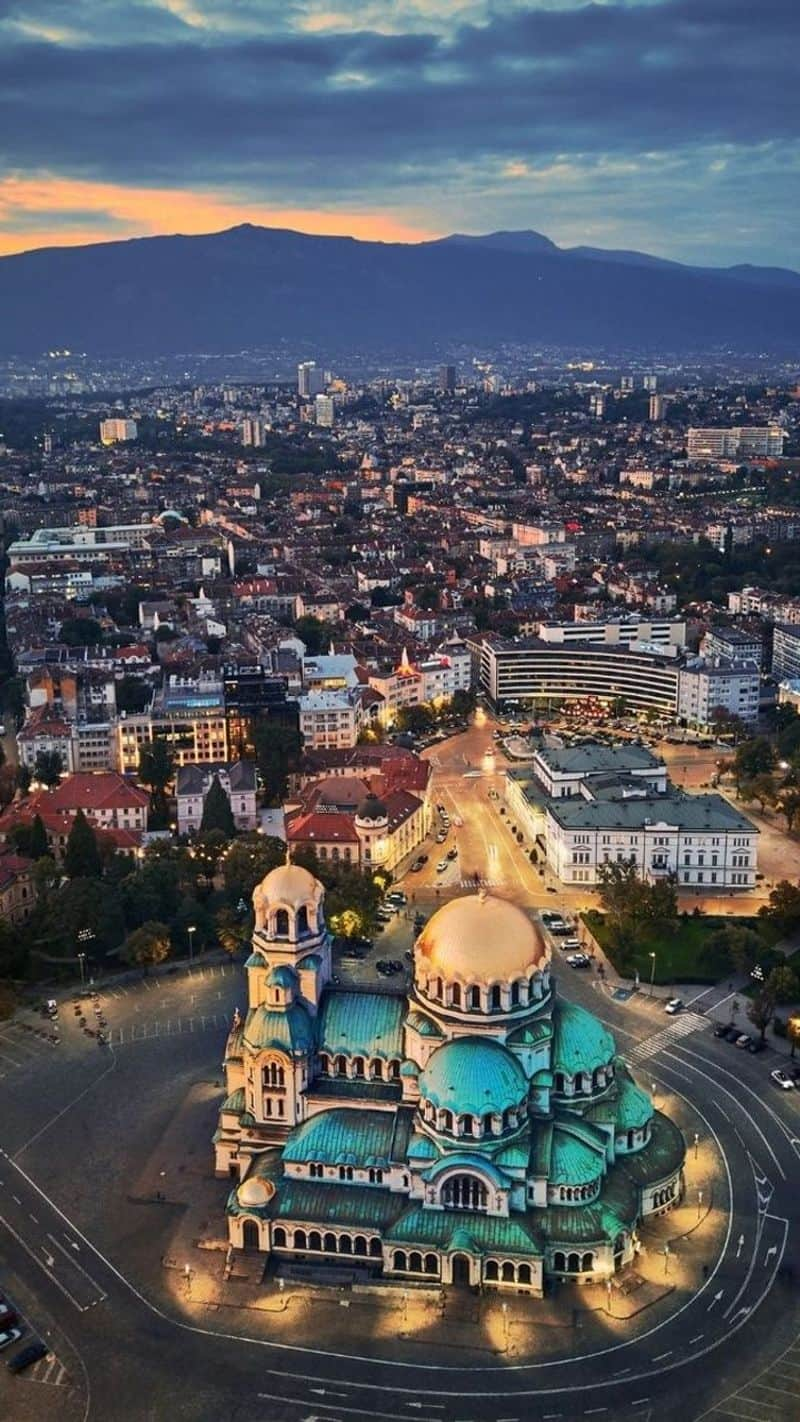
[(481, 939)]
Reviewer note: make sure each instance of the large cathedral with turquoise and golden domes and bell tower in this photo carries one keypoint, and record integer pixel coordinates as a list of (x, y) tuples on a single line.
[(480, 1131)]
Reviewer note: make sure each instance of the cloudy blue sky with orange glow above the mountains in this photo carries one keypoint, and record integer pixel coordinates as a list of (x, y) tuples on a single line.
[(666, 126)]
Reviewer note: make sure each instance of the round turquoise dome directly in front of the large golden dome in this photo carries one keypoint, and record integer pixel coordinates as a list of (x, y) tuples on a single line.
[(474, 1076)]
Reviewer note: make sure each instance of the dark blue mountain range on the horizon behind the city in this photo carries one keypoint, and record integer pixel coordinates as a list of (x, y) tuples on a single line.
[(252, 288)]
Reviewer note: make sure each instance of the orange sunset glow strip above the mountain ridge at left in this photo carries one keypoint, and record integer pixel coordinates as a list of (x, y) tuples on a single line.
[(33, 205)]
